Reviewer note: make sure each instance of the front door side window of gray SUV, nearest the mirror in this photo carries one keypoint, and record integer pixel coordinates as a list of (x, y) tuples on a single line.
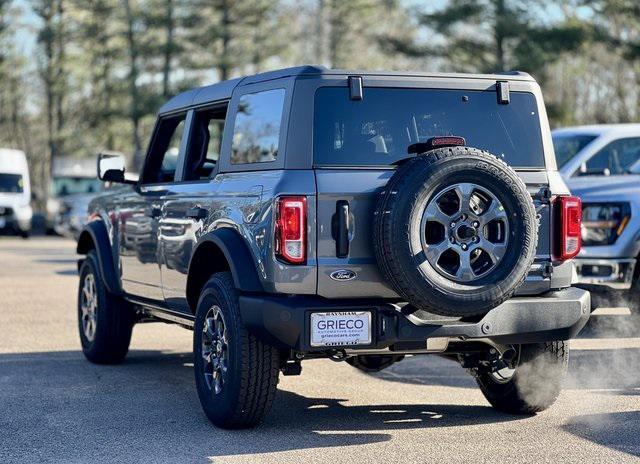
[(162, 157)]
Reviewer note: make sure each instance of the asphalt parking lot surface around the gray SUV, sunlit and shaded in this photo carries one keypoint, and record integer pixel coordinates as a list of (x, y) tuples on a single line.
[(56, 407)]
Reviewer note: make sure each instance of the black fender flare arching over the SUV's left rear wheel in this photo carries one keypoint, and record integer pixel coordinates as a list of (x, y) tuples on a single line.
[(237, 254)]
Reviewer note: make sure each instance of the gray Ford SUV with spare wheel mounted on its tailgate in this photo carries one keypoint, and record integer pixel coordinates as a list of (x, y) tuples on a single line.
[(357, 216)]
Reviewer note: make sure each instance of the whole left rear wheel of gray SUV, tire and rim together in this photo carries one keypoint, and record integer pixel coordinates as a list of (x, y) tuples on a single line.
[(236, 374)]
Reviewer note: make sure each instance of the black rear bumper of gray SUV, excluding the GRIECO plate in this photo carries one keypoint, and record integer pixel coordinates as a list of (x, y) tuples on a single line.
[(285, 321)]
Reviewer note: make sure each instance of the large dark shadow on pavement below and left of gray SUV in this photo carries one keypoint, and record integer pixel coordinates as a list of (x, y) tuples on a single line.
[(59, 407)]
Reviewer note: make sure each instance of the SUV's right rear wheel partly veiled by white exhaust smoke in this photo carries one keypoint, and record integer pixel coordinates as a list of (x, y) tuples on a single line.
[(535, 382)]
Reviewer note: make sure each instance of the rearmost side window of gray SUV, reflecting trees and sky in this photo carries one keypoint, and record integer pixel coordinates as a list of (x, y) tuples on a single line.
[(257, 127)]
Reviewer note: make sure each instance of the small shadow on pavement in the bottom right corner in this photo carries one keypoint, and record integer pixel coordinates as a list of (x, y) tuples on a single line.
[(618, 431)]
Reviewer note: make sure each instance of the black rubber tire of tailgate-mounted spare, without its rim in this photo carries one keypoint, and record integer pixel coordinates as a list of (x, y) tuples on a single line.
[(400, 205)]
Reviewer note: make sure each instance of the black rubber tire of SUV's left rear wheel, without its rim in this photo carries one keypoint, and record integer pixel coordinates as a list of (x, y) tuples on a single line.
[(253, 366)]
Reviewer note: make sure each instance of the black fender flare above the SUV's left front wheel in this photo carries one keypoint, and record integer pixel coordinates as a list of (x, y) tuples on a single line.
[(95, 232)]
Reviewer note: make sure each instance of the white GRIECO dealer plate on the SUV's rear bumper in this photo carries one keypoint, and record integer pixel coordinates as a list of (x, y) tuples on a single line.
[(341, 328)]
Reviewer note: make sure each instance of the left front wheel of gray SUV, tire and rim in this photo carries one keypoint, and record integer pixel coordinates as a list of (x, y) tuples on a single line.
[(105, 321)]
